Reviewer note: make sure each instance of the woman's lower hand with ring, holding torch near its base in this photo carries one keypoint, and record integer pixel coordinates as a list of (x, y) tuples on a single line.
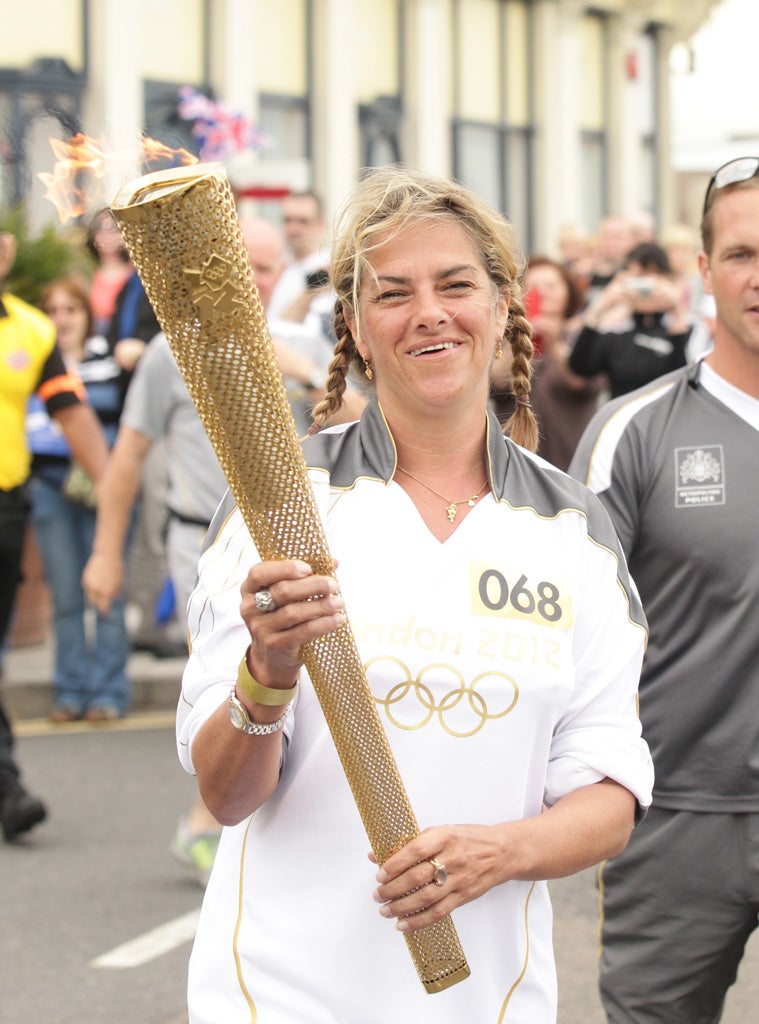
[(467, 861)]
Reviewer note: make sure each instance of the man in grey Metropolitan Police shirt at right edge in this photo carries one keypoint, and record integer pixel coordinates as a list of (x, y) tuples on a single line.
[(677, 465)]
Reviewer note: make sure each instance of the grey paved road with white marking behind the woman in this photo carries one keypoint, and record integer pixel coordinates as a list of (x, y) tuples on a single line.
[(99, 877)]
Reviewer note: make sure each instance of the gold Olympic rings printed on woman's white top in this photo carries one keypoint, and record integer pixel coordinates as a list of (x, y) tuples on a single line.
[(462, 712)]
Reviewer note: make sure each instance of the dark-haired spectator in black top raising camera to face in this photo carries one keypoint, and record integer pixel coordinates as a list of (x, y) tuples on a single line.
[(638, 329)]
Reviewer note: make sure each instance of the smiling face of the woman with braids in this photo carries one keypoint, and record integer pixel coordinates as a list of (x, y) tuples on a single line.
[(429, 320)]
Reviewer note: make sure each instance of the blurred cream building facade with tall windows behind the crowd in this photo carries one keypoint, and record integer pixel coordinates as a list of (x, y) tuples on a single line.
[(557, 111)]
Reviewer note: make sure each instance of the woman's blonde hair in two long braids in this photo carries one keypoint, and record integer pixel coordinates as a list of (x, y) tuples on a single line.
[(385, 203)]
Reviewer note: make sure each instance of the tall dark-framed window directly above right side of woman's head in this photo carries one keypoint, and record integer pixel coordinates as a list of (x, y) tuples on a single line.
[(493, 127)]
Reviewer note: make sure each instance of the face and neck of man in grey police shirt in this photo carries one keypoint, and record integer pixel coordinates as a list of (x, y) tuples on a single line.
[(731, 274)]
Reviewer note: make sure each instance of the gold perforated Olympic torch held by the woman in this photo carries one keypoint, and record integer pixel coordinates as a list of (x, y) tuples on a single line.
[(183, 233)]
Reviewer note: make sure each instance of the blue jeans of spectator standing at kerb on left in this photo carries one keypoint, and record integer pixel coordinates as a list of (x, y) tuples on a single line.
[(86, 675)]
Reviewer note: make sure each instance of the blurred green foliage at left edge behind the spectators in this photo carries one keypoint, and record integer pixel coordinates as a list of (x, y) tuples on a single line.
[(41, 259)]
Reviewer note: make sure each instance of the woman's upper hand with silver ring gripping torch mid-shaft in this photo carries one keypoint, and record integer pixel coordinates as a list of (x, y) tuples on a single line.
[(307, 607)]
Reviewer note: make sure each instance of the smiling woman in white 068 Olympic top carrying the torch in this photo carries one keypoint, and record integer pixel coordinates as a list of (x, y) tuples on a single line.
[(502, 642)]
